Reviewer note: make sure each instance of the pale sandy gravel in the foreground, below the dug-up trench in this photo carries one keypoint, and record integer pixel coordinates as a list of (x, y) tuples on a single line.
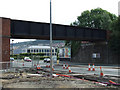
[(47, 82)]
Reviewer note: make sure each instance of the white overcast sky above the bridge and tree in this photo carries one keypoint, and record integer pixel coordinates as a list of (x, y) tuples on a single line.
[(63, 11)]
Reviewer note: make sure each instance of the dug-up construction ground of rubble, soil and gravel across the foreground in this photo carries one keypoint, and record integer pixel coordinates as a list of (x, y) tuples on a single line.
[(43, 80)]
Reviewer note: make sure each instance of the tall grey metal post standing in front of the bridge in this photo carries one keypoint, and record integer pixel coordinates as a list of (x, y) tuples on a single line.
[(51, 72)]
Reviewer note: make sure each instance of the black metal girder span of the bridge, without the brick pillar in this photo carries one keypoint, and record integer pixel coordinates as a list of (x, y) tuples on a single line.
[(37, 30)]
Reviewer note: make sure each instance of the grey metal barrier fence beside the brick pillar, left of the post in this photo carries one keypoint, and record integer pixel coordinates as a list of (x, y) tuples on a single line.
[(21, 64)]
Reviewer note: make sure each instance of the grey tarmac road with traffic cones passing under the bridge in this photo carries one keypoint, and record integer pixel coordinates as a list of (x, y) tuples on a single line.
[(75, 67)]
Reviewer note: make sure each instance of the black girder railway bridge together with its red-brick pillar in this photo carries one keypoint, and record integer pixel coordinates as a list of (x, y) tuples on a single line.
[(10, 28)]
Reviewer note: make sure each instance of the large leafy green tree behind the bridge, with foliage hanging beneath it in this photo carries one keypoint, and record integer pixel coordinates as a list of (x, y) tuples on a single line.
[(95, 18)]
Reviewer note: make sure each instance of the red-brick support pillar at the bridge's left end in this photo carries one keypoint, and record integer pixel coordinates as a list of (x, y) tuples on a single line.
[(4, 42)]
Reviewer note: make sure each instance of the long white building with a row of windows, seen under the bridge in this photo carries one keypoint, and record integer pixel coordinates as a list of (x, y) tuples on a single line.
[(40, 49)]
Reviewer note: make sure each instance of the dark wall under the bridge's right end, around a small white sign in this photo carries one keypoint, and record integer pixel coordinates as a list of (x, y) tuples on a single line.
[(106, 55)]
